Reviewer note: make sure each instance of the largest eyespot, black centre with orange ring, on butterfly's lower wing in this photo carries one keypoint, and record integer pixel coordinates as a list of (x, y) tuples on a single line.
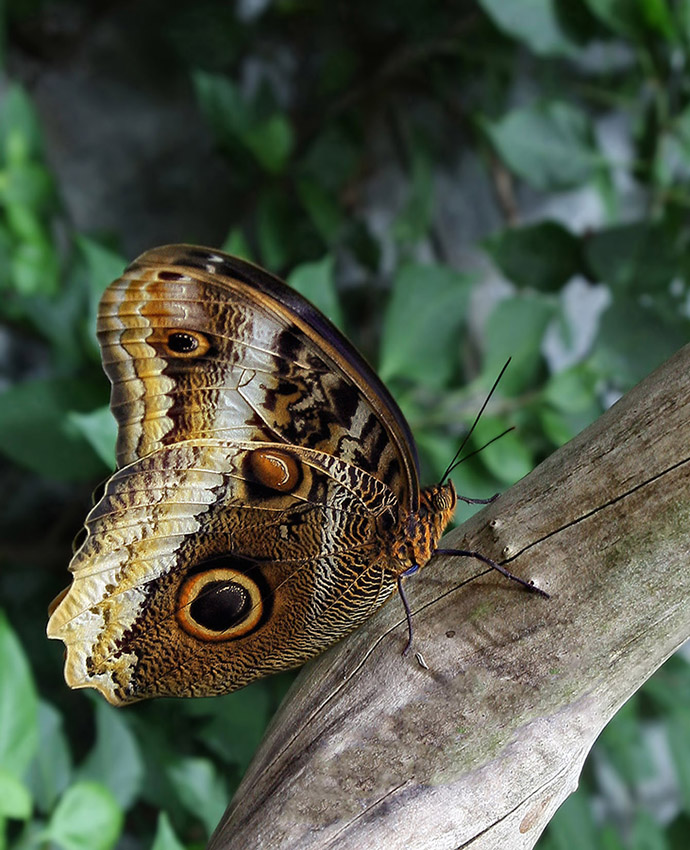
[(219, 604)]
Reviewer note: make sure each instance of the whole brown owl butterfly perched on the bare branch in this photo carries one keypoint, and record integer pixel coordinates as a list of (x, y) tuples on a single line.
[(267, 496)]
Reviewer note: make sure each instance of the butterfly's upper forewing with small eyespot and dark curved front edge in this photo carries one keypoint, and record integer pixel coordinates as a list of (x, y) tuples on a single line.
[(200, 344)]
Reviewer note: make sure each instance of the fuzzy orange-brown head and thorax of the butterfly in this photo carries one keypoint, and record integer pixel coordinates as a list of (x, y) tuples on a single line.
[(424, 528)]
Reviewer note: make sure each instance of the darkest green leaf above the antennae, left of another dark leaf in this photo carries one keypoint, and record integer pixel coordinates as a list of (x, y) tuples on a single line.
[(541, 256)]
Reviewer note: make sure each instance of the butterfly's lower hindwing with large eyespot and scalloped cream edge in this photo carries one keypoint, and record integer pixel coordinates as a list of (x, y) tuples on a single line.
[(209, 563)]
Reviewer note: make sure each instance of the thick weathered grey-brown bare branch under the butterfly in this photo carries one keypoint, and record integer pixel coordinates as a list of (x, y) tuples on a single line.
[(371, 750)]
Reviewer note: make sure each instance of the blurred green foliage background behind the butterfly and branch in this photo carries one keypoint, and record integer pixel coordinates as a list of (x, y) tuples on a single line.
[(453, 183)]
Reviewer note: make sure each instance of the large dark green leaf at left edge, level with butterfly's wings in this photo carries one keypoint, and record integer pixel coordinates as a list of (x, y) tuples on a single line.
[(36, 431)]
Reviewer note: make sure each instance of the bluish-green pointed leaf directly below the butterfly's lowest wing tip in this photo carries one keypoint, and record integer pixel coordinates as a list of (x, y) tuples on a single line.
[(115, 760)]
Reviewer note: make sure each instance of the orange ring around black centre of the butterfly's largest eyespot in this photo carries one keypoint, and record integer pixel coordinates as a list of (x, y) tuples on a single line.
[(195, 584)]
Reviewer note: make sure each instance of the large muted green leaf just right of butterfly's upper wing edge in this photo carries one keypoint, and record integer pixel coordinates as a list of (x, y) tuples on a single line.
[(421, 327)]
